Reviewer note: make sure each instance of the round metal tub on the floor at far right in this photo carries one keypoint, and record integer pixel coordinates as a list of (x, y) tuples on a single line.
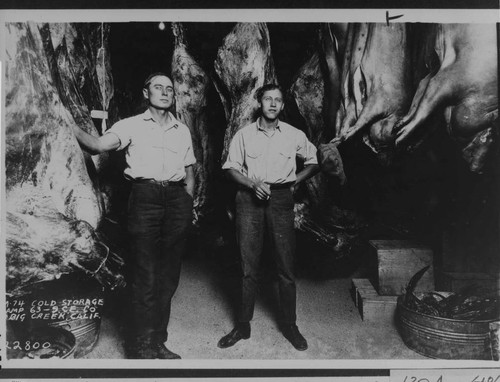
[(443, 338)]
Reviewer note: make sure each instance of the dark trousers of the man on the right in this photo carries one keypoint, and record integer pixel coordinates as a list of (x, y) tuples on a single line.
[(253, 218)]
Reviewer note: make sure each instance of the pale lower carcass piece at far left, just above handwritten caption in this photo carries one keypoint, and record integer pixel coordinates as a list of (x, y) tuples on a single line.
[(44, 244)]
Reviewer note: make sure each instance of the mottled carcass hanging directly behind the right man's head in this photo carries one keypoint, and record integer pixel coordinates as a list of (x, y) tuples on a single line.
[(244, 63)]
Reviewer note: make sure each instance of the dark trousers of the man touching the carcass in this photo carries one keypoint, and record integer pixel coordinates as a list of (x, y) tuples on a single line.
[(158, 221)]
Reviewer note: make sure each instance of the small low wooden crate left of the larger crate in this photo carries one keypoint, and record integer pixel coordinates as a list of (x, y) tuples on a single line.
[(375, 308)]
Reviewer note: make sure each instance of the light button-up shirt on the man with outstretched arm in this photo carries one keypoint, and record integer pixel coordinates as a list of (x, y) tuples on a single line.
[(154, 151)]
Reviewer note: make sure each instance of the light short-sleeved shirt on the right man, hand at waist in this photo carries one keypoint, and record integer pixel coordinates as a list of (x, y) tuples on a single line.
[(269, 156)]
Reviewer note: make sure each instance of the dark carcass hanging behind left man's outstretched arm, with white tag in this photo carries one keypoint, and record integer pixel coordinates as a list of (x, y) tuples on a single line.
[(79, 61)]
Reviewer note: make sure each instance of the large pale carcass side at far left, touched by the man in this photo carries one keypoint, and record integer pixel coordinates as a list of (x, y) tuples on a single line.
[(39, 140)]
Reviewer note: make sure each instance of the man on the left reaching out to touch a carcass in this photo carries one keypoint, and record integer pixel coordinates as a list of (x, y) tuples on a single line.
[(159, 156)]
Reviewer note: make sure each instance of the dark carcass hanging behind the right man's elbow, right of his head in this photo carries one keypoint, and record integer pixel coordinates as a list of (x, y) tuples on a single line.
[(318, 214)]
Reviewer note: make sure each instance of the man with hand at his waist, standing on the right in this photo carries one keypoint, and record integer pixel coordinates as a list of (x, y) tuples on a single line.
[(262, 161)]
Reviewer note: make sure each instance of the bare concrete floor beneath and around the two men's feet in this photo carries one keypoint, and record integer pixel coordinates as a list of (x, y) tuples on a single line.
[(202, 312)]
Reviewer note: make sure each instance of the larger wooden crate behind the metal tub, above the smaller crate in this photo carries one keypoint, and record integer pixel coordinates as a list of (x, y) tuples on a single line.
[(398, 261)]
